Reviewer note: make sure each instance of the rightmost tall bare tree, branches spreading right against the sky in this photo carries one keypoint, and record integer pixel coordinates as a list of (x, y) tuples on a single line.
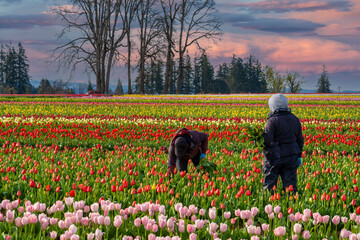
[(197, 20)]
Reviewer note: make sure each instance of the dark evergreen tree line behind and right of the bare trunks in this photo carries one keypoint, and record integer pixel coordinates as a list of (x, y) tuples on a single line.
[(200, 76)]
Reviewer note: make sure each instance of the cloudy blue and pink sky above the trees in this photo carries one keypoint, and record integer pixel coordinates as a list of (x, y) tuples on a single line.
[(288, 35)]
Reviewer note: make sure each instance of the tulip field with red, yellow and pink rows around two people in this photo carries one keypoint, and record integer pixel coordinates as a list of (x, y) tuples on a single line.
[(88, 167)]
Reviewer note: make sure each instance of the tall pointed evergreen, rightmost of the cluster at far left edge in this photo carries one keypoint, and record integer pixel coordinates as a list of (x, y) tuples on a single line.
[(23, 79)]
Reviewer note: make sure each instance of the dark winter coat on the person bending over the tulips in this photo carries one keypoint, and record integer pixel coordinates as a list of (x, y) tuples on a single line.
[(200, 145)]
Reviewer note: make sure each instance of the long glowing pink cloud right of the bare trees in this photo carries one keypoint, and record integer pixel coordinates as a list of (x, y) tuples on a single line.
[(303, 55)]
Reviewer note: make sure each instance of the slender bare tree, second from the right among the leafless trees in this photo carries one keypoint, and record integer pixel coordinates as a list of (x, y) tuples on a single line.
[(170, 9)]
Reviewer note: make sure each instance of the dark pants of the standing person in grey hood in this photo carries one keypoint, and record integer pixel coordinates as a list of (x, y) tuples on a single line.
[(285, 167)]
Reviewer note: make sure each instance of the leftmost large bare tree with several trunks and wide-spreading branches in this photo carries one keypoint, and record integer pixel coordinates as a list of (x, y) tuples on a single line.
[(100, 29)]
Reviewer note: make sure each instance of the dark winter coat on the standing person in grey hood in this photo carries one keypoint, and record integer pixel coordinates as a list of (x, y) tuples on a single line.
[(283, 136)]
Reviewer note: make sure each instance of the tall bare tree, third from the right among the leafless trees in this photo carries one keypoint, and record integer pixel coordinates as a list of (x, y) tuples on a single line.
[(149, 37)]
